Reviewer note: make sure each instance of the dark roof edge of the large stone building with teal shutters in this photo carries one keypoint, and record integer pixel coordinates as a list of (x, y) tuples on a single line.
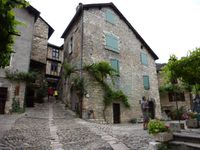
[(82, 7)]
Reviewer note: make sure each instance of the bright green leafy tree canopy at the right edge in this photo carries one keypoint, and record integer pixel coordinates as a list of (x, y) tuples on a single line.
[(186, 71)]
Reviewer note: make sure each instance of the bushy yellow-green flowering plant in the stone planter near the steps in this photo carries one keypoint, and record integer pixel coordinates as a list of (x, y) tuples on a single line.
[(157, 126)]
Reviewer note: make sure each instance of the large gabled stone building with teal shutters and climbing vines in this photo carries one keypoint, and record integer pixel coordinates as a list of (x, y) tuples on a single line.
[(100, 32)]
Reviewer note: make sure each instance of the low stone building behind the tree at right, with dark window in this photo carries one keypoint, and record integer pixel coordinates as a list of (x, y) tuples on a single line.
[(168, 99)]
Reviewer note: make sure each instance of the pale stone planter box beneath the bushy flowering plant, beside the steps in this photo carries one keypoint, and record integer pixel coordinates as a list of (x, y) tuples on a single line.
[(163, 136)]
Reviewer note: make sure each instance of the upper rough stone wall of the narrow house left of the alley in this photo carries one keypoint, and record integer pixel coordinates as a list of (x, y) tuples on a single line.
[(40, 40)]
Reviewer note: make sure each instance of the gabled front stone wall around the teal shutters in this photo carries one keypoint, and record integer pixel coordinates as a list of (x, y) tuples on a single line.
[(131, 69)]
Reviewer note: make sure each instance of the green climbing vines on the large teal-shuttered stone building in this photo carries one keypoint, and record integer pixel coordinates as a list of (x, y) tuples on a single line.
[(100, 71)]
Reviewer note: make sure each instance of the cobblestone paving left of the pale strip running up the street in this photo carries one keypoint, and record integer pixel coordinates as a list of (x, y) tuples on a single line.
[(30, 132)]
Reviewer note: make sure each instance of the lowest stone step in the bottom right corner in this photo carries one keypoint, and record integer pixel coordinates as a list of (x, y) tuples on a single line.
[(180, 145)]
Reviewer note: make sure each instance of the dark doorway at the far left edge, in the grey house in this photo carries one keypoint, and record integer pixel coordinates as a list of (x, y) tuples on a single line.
[(3, 98)]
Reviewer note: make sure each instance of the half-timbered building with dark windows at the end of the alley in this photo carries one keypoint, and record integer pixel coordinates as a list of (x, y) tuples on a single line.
[(53, 65)]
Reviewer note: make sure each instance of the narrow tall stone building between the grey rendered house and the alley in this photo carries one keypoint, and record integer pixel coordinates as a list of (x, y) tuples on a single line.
[(38, 59)]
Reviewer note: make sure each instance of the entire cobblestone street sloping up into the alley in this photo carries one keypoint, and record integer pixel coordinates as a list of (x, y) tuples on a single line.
[(50, 126)]
